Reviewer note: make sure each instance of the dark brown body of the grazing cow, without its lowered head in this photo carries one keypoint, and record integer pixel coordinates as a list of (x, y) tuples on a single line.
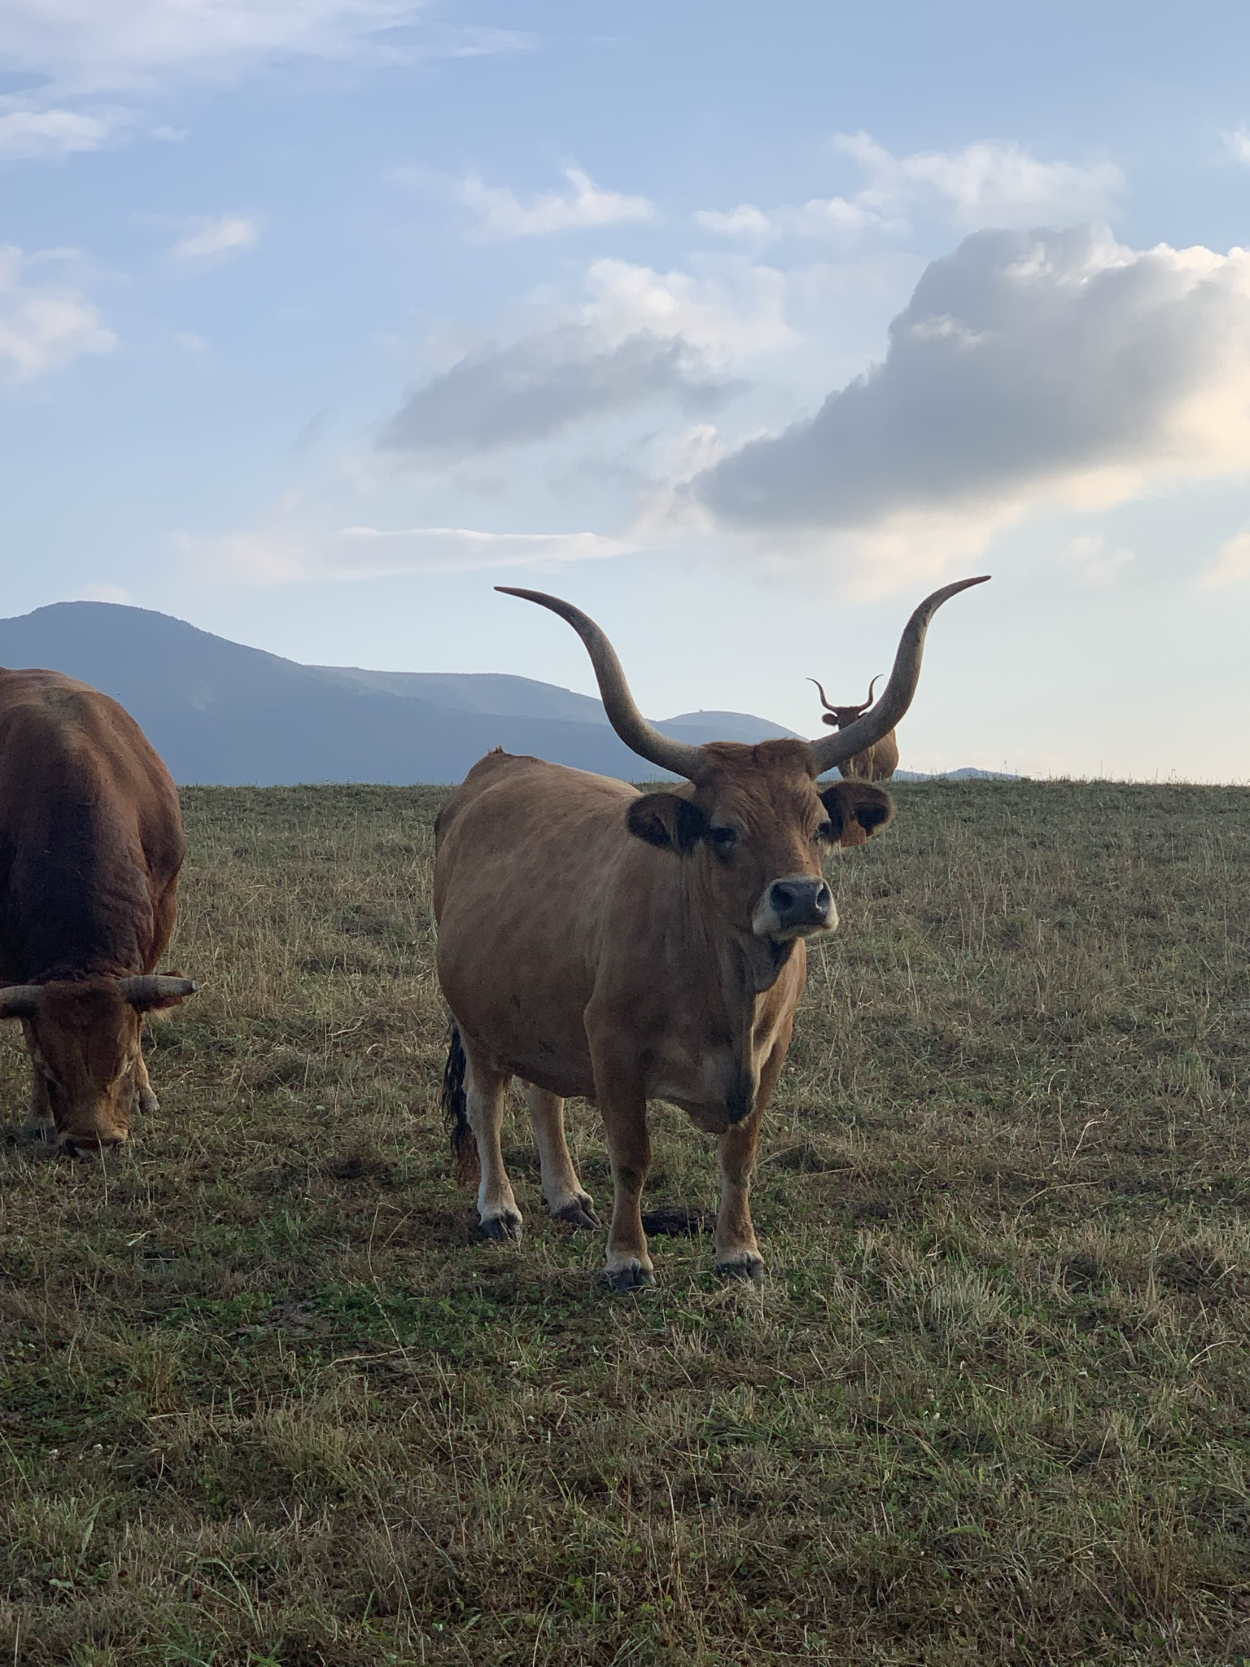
[(91, 833)]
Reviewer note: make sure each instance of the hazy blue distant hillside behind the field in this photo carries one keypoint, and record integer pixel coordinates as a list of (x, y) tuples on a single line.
[(221, 713)]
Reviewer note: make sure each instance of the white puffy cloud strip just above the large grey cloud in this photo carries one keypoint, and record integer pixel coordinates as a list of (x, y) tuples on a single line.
[(986, 184)]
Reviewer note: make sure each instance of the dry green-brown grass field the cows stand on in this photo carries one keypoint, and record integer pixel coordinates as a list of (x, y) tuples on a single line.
[(266, 1401)]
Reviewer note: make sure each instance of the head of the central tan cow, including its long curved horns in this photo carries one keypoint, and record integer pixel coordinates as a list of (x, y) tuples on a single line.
[(754, 819)]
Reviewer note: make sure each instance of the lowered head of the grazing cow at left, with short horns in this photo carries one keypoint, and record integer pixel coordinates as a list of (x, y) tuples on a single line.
[(84, 1039)]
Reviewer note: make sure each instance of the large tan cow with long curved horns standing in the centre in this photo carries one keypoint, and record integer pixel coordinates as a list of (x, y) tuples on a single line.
[(621, 946)]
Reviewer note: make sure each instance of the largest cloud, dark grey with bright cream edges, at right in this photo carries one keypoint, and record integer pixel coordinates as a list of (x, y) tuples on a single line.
[(1057, 369)]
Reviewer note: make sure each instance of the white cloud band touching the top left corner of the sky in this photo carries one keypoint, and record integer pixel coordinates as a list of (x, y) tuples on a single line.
[(146, 44)]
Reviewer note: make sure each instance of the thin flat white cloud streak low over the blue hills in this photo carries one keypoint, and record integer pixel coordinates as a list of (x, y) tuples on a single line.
[(281, 556)]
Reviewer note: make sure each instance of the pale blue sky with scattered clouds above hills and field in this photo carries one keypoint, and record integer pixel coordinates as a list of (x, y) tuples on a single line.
[(742, 328)]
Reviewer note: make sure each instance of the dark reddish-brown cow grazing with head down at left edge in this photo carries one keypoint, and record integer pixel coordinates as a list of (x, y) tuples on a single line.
[(91, 848)]
